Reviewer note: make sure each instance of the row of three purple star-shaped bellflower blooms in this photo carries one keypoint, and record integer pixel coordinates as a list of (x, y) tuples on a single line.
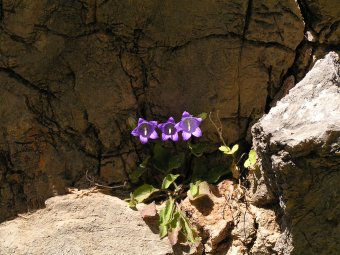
[(189, 125)]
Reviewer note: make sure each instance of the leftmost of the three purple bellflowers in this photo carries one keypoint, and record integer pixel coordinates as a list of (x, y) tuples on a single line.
[(145, 130)]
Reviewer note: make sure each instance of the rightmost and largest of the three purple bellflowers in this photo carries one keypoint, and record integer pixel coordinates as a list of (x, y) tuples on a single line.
[(189, 125)]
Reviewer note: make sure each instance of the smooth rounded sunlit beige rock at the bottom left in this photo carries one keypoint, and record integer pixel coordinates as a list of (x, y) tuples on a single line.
[(82, 223)]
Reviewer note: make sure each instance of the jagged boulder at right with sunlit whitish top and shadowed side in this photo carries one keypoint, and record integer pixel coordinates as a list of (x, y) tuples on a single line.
[(298, 144)]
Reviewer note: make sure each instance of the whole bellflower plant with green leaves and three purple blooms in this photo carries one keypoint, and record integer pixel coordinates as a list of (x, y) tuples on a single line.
[(171, 172)]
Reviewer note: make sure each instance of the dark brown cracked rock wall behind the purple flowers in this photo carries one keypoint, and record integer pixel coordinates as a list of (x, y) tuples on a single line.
[(72, 72)]
